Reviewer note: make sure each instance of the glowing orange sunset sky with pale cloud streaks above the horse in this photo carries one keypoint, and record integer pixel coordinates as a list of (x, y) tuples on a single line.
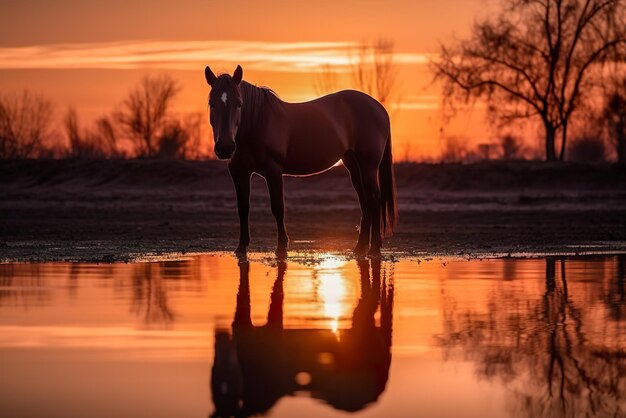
[(88, 54)]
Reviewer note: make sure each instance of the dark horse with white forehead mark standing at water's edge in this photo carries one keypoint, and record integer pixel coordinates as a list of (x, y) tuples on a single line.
[(258, 133)]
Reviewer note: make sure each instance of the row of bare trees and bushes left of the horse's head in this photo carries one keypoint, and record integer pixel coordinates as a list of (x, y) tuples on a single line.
[(143, 125)]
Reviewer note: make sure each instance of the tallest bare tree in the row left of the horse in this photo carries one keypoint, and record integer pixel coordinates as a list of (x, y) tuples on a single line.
[(144, 113)]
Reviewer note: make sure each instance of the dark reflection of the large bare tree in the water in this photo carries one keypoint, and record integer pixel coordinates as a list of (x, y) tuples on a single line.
[(554, 355)]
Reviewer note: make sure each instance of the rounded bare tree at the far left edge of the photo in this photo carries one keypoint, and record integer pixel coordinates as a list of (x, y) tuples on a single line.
[(25, 124)]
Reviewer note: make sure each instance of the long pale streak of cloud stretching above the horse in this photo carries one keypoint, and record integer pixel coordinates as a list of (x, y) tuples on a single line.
[(189, 55)]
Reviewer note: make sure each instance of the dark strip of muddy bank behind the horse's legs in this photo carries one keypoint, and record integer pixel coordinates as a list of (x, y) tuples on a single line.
[(125, 210)]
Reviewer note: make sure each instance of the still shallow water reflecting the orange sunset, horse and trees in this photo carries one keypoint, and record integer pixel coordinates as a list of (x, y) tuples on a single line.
[(210, 336)]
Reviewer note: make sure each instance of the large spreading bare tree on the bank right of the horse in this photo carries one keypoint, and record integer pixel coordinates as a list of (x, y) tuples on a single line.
[(534, 59)]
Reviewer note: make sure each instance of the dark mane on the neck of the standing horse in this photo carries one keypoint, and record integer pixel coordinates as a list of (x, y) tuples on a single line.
[(257, 102)]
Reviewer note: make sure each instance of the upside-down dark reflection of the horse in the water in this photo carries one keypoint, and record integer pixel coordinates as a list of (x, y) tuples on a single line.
[(255, 366)]
